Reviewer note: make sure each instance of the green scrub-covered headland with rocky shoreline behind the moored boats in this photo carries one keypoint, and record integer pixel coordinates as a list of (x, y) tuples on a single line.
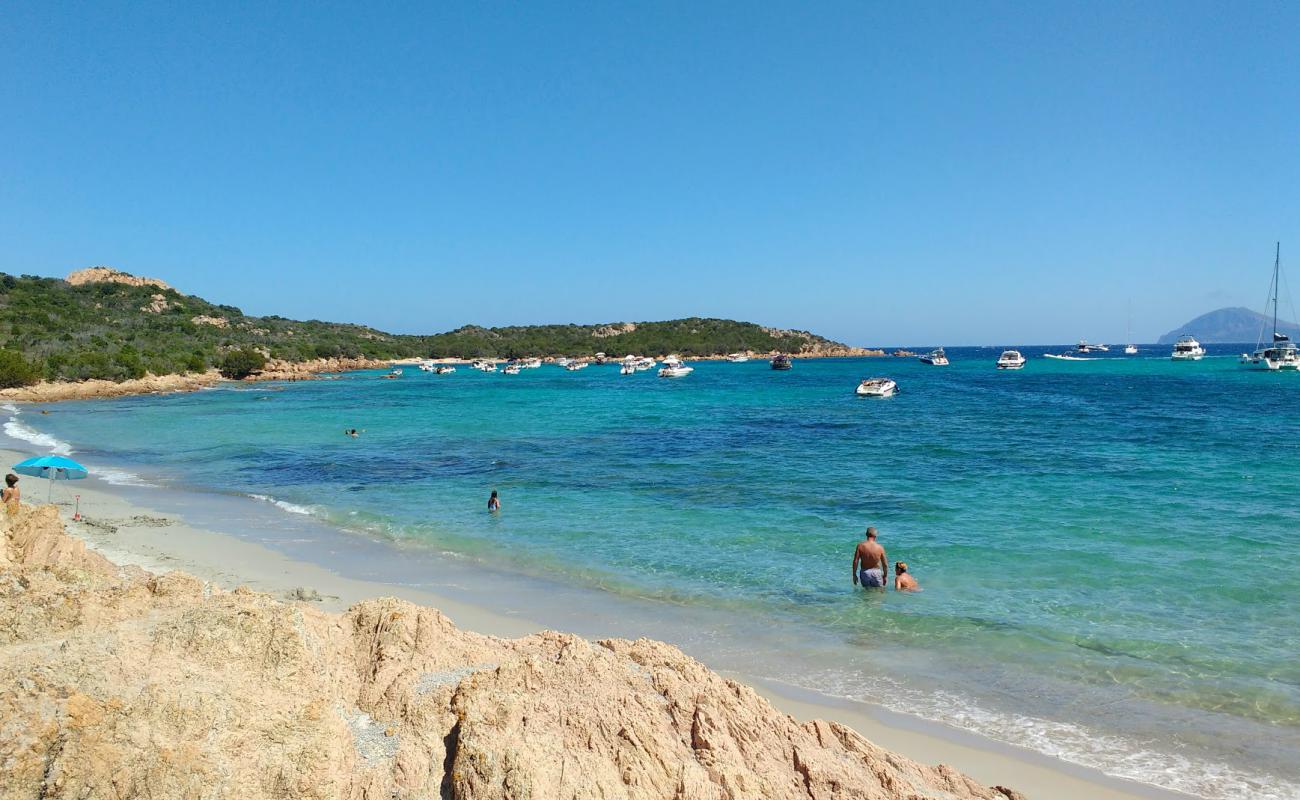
[(106, 325)]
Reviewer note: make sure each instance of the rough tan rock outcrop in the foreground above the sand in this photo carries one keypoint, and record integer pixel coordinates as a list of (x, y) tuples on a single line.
[(119, 684)]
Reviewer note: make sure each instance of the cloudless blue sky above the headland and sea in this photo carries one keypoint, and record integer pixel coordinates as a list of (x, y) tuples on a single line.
[(881, 174)]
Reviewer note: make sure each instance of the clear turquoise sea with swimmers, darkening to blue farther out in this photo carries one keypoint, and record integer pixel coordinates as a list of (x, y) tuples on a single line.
[(1108, 548)]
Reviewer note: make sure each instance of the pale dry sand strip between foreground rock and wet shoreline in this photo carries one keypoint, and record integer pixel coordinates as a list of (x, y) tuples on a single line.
[(128, 531)]
